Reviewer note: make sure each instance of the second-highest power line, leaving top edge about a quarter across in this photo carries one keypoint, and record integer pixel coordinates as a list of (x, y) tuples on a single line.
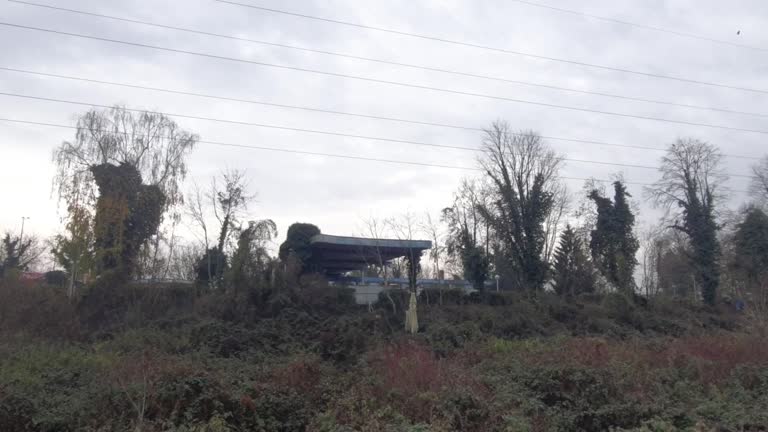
[(496, 49)]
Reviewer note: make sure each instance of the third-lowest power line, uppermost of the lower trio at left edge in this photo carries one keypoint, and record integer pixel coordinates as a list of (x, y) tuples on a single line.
[(335, 112)]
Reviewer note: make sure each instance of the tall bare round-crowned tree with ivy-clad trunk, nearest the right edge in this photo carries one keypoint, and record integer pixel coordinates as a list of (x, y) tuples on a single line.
[(691, 187)]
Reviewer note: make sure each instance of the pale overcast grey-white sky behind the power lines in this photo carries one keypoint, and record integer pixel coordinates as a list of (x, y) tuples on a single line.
[(336, 193)]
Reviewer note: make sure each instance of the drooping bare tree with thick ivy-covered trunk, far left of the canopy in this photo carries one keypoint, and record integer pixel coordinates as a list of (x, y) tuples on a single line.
[(128, 166)]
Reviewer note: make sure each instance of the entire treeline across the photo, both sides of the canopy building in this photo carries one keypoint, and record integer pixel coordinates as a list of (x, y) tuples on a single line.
[(516, 226)]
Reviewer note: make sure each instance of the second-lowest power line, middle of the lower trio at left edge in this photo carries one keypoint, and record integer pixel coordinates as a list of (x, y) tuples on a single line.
[(324, 132)]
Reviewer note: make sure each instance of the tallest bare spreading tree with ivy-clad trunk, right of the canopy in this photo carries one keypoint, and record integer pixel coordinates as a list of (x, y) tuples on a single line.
[(523, 171)]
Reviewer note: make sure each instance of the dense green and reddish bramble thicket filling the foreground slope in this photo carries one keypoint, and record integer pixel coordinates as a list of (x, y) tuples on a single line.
[(314, 361)]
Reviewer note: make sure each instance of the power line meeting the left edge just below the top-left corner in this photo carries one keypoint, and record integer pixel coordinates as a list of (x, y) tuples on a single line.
[(397, 83)]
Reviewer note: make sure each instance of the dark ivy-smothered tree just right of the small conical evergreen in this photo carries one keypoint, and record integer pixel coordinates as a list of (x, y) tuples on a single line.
[(613, 243)]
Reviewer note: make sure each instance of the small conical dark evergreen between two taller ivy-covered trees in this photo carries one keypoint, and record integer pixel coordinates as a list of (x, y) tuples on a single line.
[(573, 272)]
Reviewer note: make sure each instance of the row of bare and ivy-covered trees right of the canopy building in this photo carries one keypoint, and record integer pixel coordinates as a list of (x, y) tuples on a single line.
[(514, 224)]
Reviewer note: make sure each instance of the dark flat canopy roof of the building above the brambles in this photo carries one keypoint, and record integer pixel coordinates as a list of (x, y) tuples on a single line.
[(337, 254)]
